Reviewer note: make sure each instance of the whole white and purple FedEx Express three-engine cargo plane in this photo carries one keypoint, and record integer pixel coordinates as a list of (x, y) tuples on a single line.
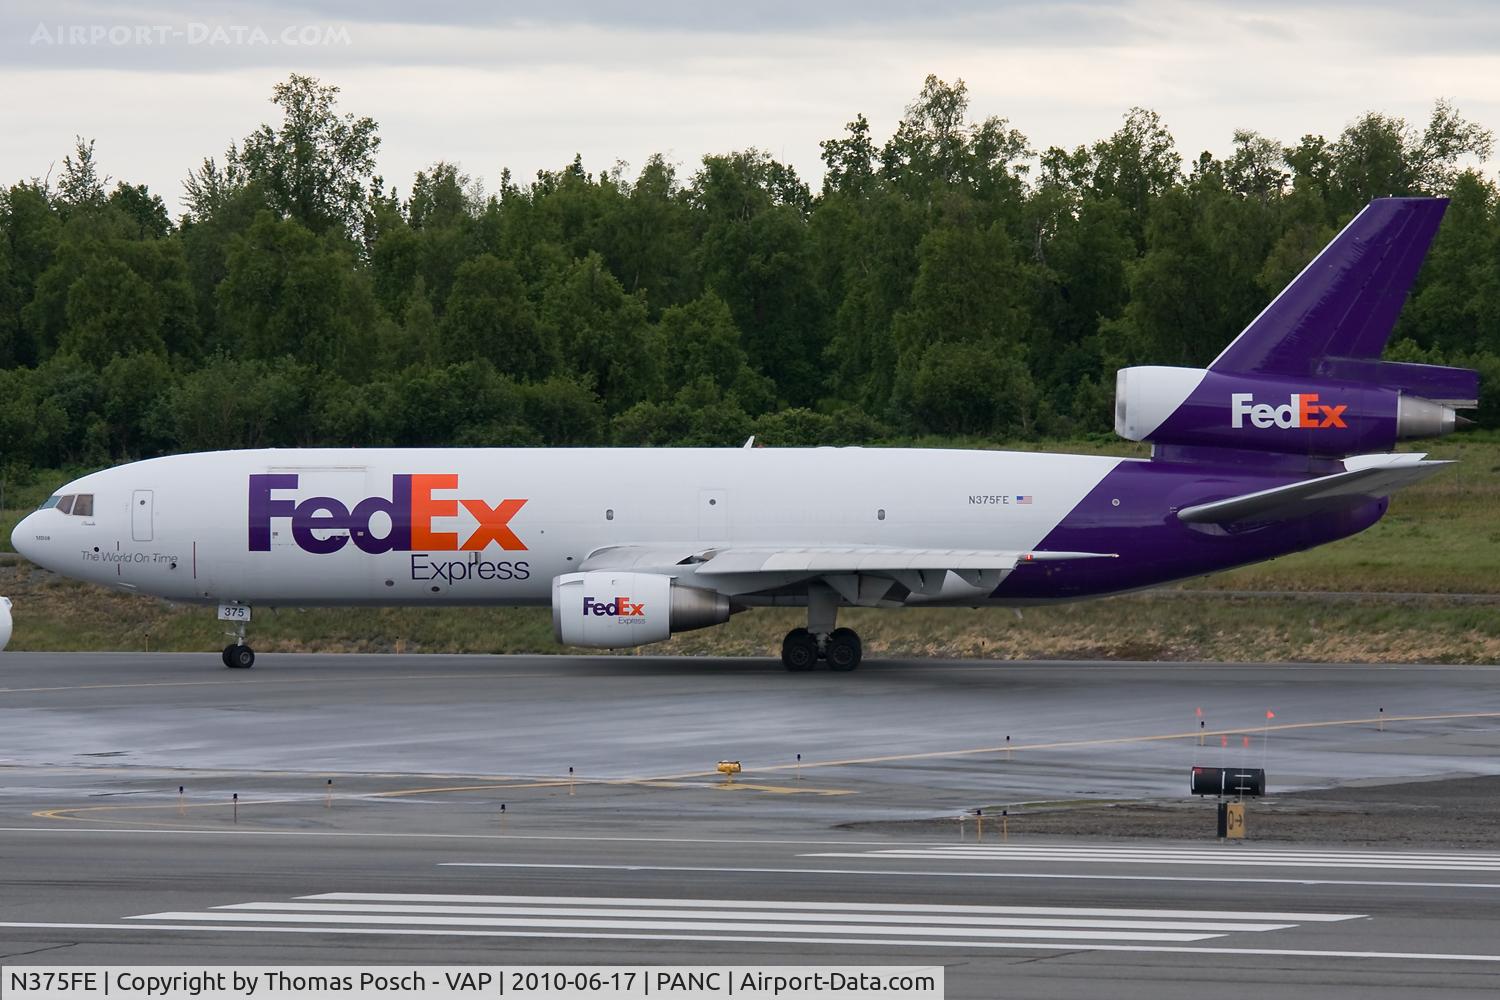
[(1282, 445)]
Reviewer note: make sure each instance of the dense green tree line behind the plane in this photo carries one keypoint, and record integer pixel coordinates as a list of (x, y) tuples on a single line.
[(949, 283)]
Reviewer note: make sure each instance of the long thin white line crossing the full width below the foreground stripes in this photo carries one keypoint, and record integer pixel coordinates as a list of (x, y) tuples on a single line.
[(1028, 947)]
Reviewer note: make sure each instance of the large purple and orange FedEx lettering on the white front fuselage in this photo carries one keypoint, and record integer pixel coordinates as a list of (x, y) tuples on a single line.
[(325, 524)]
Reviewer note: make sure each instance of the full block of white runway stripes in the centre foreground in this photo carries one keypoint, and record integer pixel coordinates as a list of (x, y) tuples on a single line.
[(877, 924)]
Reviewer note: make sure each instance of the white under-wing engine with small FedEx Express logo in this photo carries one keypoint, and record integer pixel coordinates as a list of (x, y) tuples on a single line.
[(629, 609)]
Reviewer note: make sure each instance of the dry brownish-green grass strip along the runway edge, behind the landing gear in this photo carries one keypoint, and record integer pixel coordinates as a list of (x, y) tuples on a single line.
[(58, 615)]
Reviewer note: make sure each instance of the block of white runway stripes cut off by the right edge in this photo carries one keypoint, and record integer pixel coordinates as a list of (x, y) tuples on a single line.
[(1225, 857)]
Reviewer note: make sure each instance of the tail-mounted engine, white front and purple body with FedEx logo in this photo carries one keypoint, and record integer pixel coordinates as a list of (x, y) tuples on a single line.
[(1301, 416)]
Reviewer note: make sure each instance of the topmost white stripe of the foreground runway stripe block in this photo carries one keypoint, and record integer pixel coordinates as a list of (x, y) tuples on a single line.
[(845, 908)]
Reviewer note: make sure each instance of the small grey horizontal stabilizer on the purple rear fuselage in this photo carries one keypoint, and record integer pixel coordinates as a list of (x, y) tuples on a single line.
[(1370, 479)]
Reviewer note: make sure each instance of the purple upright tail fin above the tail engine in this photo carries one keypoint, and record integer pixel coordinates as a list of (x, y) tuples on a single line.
[(1346, 302)]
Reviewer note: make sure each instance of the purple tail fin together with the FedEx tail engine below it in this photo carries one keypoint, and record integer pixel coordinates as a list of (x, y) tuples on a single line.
[(1306, 379)]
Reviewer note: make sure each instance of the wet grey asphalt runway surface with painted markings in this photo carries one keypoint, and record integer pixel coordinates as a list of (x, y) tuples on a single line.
[(647, 855)]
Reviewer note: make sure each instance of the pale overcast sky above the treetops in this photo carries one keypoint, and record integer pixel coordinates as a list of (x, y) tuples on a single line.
[(527, 86)]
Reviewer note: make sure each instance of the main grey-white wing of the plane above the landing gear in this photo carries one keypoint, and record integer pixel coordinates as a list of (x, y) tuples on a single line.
[(863, 575)]
